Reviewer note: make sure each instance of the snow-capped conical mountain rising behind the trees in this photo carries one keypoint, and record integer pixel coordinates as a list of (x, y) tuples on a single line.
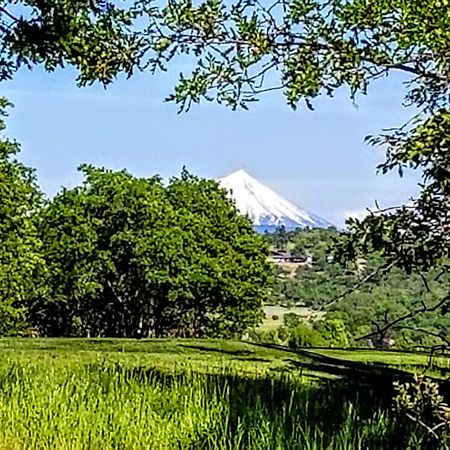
[(264, 207)]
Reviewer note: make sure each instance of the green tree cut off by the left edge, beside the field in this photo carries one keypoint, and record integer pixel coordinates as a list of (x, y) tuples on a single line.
[(21, 265)]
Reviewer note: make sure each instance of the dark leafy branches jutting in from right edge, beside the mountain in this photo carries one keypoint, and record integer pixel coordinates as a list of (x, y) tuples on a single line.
[(414, 237)]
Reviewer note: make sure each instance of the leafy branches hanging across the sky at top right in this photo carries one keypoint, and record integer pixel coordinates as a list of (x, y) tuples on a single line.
[(305, 48)]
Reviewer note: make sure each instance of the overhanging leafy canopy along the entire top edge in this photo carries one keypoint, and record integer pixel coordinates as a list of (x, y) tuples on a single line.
[(239, 49)]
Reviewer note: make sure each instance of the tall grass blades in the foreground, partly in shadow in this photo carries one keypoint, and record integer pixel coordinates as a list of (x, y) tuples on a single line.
[(105, 406)]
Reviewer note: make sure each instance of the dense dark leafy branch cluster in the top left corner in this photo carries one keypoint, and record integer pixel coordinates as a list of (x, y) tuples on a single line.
[(91, 35)]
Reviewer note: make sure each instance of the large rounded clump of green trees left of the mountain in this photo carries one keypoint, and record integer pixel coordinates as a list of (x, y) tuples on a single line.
[(132, 257)]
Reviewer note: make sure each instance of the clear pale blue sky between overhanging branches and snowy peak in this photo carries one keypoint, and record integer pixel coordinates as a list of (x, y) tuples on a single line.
[(316, 159)]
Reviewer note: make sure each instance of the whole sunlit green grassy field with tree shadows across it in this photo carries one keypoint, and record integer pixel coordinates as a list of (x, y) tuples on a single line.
[(194, 394)]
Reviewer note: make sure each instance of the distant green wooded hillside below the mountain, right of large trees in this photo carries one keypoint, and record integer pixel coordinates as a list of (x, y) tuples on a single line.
[(360, 294)]
